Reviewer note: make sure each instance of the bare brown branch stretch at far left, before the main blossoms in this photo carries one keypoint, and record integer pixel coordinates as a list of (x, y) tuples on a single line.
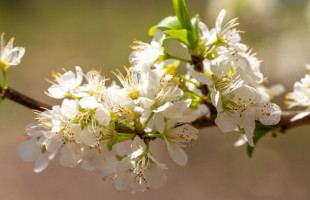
[(24, 100)]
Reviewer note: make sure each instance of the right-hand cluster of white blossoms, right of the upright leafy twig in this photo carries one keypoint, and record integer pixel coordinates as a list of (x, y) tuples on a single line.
[(232, 74)]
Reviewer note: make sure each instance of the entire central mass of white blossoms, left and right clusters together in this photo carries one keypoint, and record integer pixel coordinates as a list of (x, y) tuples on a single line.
[(152, 101)]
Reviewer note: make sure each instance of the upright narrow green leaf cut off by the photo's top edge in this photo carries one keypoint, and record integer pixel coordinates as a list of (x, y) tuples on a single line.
[(182, 14)]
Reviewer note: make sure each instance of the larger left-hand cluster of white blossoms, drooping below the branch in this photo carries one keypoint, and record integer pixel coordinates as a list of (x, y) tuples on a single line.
[(94, 120)]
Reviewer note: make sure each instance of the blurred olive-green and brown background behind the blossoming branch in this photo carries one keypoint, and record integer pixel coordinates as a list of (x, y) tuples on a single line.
[(94, 33)]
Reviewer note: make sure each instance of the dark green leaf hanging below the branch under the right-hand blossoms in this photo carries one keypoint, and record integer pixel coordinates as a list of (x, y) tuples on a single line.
[(260, 131)]
